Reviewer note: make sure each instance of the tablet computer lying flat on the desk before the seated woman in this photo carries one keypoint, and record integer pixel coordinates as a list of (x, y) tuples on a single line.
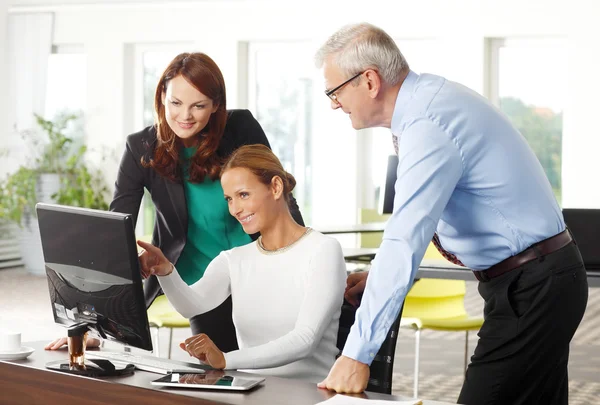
[(210, 379)]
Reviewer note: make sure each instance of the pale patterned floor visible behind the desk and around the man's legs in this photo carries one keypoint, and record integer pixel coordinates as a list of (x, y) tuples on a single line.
[(24, 306)]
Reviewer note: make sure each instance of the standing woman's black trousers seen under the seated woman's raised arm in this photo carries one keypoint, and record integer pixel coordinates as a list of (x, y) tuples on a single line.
[(217, 325)]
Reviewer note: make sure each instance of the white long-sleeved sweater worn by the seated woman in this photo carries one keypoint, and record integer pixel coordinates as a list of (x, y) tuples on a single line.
[(286, 305)]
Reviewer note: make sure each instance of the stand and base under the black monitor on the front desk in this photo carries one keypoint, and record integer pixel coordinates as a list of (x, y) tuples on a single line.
[(89, 367)]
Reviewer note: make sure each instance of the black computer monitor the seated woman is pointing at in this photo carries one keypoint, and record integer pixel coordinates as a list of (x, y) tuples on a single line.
[(93, 272)]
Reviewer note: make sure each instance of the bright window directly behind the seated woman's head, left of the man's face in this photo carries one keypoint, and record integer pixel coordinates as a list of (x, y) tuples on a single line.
[(281, 95)]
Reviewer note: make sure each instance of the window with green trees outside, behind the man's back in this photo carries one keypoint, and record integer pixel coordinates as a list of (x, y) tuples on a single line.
[(528, 82)]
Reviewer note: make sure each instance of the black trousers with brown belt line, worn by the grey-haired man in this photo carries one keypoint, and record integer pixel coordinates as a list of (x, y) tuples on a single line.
[(531, 313)]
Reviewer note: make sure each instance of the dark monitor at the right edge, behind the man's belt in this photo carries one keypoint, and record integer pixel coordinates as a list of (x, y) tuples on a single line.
[(584, 224)]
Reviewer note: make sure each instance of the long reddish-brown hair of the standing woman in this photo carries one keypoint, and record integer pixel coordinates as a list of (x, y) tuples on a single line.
[(204, 74)]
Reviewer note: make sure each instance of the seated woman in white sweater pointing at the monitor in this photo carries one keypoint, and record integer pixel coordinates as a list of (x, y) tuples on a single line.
[(287, 287)]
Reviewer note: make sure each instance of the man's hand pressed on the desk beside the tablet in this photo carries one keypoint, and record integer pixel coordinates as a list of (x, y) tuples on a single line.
[(347, 376)]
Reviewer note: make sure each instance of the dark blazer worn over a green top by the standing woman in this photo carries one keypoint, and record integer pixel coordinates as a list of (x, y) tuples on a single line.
[(170, 229)]
